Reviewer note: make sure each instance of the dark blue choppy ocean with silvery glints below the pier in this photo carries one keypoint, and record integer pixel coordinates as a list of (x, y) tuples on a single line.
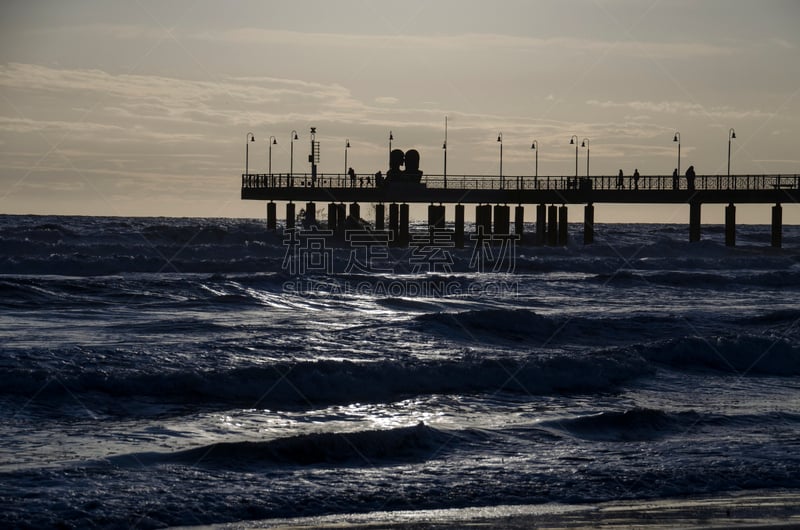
[(163, 372)]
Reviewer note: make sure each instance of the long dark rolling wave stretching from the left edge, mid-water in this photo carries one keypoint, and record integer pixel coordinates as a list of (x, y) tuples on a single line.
[(310, 384)]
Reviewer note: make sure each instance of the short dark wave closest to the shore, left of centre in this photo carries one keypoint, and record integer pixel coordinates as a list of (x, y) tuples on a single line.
[(415, 443)]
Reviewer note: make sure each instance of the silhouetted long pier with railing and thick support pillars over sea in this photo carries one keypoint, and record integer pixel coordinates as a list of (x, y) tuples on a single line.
[(494, 196)]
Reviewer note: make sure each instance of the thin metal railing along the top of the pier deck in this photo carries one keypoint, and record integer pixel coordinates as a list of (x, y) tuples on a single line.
[(494, 182)]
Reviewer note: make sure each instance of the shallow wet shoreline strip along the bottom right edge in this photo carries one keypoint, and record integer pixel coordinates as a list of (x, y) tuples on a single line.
[(743, 510)]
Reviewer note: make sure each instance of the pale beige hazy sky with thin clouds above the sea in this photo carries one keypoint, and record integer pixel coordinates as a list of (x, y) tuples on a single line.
[(141, 107)]
